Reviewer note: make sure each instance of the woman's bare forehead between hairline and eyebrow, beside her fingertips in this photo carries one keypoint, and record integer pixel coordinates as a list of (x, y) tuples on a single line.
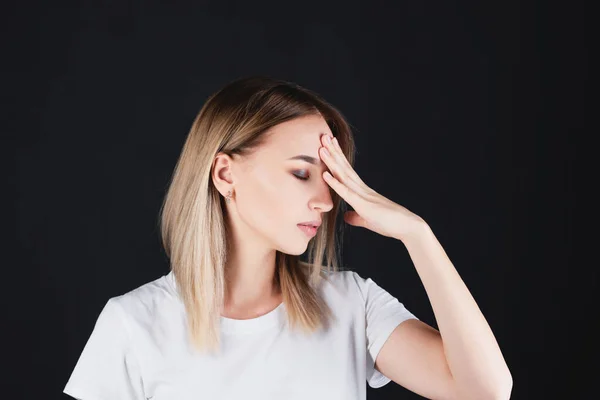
[(301, 134)]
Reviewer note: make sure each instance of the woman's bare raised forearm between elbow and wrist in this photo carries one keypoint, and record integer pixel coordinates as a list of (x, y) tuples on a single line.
[(472, 353)]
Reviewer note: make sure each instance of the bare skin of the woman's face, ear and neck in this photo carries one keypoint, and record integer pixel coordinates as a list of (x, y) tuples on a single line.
[(268, 201)]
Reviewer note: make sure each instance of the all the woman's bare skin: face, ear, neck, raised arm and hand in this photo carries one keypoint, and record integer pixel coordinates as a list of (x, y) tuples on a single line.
[(460, 361)]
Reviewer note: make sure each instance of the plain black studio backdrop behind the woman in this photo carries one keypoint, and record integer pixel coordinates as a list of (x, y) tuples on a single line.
[(464, 112)]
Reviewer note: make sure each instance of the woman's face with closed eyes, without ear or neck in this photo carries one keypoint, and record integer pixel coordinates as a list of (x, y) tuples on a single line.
[(275, 192)]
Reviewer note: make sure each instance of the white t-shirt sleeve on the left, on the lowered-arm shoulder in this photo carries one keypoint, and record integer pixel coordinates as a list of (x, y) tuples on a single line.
[(107, 368)]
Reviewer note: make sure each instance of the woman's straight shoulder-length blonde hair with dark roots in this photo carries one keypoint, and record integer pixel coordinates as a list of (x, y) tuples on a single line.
[(192, 217)]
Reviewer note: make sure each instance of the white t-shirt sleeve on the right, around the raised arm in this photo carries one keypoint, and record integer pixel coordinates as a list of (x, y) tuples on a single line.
[(383, 313)]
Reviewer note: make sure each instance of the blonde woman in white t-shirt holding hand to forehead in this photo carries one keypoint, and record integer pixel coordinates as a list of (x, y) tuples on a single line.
[(239, 315)]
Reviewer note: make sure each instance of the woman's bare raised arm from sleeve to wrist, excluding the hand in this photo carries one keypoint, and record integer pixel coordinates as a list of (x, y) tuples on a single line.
[(460, 361)]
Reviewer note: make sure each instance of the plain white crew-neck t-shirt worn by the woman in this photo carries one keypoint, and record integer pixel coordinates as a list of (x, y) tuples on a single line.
[(139, 349)]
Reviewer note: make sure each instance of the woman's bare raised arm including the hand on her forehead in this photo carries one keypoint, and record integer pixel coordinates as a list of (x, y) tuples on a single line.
[(462, 360)]
